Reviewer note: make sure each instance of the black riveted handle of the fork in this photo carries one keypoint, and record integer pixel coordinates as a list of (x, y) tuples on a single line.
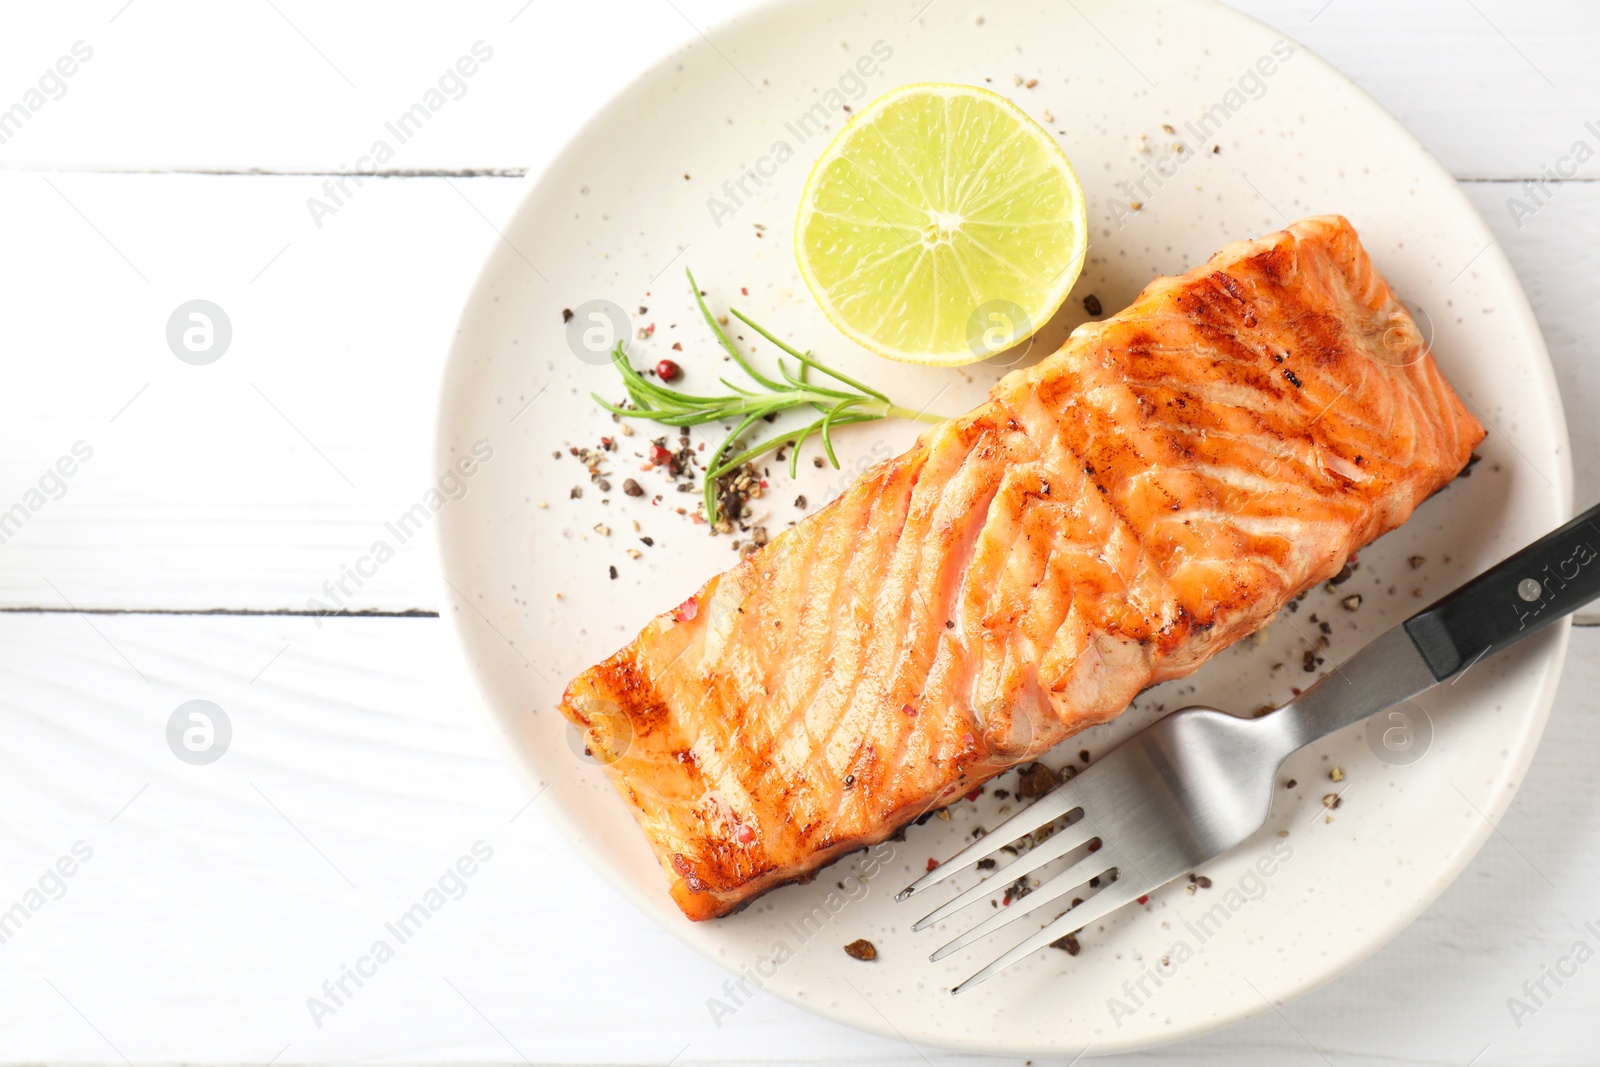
[(1514, 599)]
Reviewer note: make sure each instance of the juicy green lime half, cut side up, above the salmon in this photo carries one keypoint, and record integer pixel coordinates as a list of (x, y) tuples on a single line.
[(942, 226)]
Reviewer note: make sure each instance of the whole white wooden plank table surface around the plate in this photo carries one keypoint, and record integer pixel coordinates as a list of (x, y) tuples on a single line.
[(177, 562)]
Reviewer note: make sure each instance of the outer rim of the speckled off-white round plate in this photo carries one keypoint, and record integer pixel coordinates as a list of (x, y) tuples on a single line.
[(1550, 666)]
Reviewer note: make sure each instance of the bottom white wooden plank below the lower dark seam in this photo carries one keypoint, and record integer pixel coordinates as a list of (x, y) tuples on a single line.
[(220, 898)]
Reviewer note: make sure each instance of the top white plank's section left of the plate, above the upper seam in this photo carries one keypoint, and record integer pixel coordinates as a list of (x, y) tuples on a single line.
[(302, 87)]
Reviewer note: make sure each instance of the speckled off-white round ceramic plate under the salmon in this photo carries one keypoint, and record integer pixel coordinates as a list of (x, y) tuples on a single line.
[(630, 204)]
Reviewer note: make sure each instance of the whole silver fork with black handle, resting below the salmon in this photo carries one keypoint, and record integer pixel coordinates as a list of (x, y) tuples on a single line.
[(1201, 781)]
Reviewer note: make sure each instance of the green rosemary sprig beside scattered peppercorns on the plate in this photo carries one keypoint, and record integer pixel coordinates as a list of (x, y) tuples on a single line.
[(842, 404)]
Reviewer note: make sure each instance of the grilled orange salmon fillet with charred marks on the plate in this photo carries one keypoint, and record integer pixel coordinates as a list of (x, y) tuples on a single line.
[(1110, 519)]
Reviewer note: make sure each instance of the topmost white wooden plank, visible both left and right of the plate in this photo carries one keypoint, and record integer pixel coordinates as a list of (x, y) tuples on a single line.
[(298, 87)]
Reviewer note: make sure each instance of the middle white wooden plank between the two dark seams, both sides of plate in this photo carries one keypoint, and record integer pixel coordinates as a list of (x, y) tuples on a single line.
[(252, 482)]
